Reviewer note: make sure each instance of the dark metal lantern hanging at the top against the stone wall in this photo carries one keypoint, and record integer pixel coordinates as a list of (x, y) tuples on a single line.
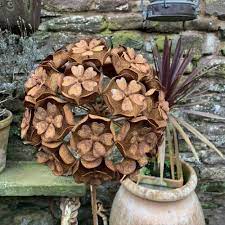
[(171, 10)]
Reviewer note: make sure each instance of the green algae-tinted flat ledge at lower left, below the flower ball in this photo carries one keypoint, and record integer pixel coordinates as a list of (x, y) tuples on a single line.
[(27, 178)]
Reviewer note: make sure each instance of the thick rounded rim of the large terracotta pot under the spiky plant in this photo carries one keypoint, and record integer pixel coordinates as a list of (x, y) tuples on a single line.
[(168, 195)]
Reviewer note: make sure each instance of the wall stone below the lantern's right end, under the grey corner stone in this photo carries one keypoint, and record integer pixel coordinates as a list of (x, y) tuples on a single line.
[(203, 24)]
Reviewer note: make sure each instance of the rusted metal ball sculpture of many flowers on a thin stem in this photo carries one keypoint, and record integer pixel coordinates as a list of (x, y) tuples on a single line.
[(94, 113)]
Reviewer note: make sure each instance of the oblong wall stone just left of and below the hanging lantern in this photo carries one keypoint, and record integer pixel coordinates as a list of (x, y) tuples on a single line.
[(125, 21)]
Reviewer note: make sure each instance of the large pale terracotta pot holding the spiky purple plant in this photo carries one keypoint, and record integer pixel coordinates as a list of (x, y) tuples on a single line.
[(143, 205)]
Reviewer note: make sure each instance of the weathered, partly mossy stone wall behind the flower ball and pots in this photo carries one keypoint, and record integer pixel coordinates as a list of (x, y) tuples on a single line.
[(121, 22)]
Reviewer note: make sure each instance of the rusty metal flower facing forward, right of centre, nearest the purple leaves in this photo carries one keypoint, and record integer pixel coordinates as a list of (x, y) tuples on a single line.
[(126, 98)]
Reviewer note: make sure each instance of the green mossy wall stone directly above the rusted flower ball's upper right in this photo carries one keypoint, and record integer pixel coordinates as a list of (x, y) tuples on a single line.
[(128, 38)]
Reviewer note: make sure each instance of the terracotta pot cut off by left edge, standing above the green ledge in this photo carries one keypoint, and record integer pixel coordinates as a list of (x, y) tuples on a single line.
[(4, 135)]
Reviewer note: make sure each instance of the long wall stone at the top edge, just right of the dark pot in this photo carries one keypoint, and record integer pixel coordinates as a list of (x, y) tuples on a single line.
[(68, 5)]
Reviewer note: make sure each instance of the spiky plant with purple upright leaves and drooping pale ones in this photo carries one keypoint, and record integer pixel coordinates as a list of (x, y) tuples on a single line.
[(170, 69)]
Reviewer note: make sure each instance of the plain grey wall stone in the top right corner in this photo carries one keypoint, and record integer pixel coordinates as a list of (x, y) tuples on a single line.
[(216, 8)]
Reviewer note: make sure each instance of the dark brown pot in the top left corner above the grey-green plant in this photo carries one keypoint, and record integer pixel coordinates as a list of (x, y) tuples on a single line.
[(12, 11)]
